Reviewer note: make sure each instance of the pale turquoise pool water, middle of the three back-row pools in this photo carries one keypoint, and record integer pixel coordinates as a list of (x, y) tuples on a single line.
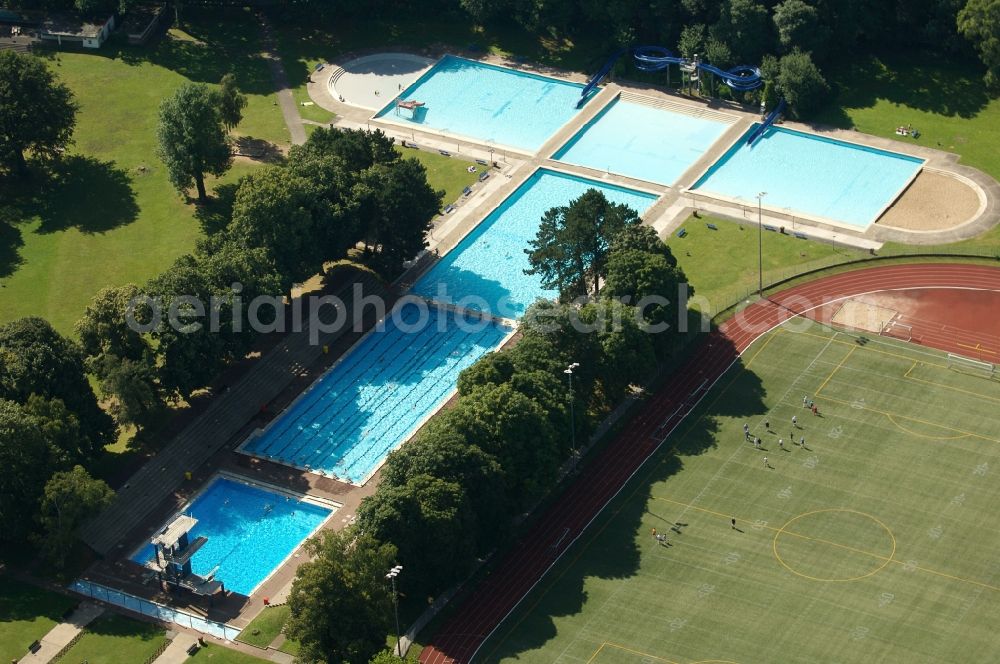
[(641, 142)]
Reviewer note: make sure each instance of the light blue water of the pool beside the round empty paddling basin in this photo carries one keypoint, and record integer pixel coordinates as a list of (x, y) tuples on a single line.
[(489, 103)]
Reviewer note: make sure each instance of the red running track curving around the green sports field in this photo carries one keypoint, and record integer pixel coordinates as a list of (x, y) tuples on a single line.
[(459, 640)]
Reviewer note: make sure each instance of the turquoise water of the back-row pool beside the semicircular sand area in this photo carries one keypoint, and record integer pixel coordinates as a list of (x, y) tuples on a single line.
[(811, 174)]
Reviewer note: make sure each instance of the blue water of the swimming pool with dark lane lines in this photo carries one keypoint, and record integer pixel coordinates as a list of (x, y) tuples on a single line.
[(369, 402)]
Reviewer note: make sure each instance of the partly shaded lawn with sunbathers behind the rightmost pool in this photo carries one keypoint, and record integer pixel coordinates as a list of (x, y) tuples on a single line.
[(945, 101)]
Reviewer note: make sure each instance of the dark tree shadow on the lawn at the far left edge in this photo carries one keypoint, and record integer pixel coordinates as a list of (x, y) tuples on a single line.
[(77, 191)]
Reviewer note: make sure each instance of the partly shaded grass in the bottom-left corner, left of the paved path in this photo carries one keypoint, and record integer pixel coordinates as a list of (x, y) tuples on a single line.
[(27, 613)]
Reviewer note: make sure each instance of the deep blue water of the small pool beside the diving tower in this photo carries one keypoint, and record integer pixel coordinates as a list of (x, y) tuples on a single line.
[(250, 530)]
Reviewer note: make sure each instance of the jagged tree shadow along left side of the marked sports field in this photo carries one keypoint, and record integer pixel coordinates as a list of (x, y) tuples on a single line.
[(610, 549)]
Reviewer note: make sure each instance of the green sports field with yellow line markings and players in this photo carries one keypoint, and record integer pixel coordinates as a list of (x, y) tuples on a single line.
[(874, 543)]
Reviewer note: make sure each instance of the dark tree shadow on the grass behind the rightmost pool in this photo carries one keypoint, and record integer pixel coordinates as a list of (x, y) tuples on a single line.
[(914, 80)]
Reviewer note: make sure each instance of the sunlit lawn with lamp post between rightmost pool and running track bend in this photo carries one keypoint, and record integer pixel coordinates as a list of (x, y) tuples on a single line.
[(722, 264)]
